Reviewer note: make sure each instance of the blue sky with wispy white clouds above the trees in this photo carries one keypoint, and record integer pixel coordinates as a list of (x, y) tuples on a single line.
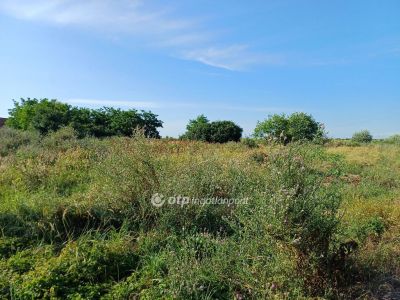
[(235, 60)]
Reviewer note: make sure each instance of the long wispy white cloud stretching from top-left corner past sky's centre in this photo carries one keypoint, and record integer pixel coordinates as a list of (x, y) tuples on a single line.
[(158, 26)]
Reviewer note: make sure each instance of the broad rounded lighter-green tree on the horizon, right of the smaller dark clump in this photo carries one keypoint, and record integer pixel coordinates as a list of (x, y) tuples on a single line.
[(285, 129)]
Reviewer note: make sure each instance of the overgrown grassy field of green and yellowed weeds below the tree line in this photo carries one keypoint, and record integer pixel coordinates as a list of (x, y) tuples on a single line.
[(77, 221)]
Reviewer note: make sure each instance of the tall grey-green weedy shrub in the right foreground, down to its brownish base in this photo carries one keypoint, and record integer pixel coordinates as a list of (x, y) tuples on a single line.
[(300, 212)]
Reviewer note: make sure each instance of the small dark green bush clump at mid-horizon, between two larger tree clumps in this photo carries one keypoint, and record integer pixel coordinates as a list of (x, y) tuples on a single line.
[(200, 129)]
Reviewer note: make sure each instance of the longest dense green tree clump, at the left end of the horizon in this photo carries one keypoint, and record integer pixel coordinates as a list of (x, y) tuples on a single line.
[(47, 115)]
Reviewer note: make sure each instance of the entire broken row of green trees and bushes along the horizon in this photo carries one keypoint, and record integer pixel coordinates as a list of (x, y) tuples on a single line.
[(46, 115)]
